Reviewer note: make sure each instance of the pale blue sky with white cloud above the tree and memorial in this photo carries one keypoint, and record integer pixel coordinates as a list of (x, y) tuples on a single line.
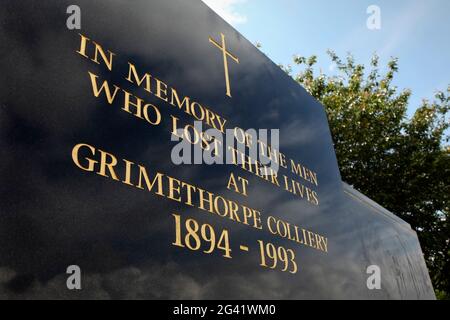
[(417, 32)]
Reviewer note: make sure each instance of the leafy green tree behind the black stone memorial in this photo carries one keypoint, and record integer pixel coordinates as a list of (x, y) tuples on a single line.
[(403, 164)]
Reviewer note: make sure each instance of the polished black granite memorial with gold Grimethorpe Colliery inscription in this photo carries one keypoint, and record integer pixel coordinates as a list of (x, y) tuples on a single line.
[(91, 123)]
